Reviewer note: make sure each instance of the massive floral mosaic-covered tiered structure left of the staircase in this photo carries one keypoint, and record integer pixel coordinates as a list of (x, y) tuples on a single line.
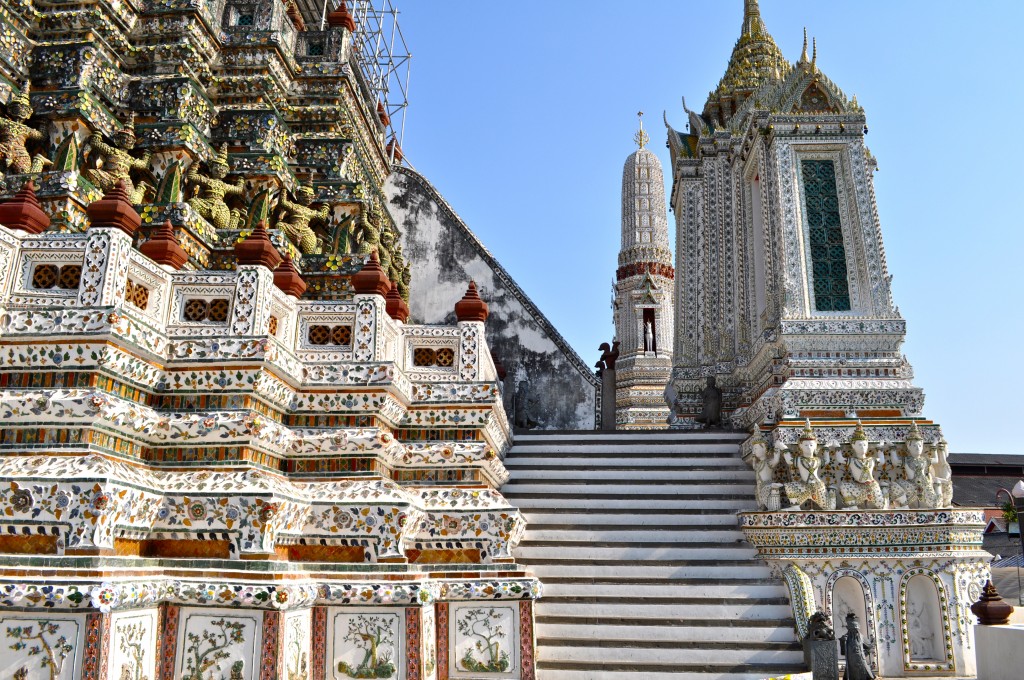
[(225, 453)]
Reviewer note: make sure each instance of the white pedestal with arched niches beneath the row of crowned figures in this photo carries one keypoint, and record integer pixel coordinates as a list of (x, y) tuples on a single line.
[(910, 576)]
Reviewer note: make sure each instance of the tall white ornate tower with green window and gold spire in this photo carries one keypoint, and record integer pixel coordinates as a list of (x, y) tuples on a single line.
[(786, 295)]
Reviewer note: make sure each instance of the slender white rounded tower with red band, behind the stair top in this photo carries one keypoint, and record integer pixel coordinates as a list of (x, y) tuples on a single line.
[(643, 307)]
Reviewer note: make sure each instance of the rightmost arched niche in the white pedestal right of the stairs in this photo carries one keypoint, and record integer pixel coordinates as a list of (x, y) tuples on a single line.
[(924, 617)]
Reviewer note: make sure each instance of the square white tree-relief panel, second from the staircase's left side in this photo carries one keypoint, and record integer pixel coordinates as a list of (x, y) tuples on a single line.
[(368, 646)]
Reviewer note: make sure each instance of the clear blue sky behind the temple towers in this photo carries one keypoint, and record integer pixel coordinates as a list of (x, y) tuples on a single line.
[(523, 114)]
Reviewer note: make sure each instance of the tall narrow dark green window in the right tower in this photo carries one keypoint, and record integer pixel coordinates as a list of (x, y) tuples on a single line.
[(832, 290)]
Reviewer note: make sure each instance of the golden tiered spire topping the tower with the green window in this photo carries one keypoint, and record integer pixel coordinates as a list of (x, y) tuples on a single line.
[(756, 60)]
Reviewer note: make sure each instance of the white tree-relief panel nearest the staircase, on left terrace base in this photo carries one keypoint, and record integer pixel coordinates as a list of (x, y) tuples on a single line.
[(486, 641)]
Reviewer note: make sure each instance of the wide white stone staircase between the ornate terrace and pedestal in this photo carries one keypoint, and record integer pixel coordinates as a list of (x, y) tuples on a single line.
[(647, 575)]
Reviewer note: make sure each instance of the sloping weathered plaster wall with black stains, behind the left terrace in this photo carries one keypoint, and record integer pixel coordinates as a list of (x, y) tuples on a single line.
[(445, 256)]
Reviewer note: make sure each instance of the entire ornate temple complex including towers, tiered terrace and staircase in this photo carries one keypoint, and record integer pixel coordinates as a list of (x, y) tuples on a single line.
[(270, 409)]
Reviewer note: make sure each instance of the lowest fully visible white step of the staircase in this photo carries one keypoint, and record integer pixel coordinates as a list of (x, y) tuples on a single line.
[(610, 652)]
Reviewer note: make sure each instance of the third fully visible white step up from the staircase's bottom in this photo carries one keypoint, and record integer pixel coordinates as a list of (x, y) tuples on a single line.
[(641, 610)]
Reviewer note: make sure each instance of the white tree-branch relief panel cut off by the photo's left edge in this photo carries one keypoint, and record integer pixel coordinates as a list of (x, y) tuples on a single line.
[(42, 649)]
